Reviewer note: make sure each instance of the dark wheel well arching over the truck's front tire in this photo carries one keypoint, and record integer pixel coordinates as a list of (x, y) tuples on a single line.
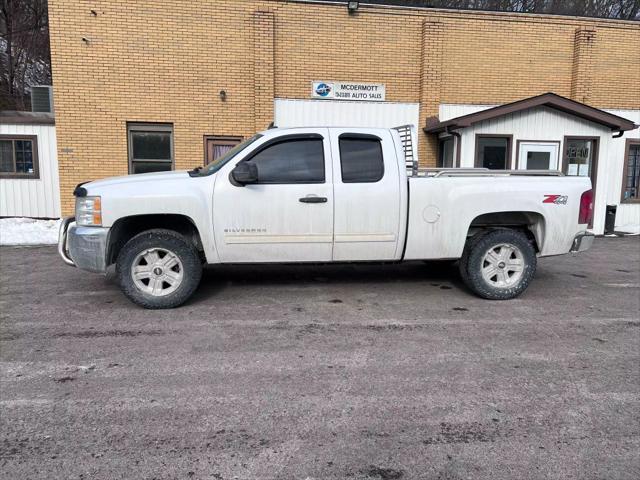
[(124, 229)]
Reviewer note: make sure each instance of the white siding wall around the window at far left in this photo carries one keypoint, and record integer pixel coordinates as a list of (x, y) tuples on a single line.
[(31, 197)]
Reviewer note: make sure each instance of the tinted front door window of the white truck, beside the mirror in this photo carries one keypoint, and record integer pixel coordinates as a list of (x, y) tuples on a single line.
[(291, 161)]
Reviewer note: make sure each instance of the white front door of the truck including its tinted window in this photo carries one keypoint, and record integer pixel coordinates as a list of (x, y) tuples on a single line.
[(287, 215)]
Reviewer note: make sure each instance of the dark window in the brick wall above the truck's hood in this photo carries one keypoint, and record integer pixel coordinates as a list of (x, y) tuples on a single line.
[(150, 147)]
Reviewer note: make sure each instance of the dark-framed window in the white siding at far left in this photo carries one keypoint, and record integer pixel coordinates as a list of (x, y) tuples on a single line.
[(19, 156)]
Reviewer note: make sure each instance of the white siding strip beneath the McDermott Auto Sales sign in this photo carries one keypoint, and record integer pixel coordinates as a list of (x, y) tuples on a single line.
[(328, 113)]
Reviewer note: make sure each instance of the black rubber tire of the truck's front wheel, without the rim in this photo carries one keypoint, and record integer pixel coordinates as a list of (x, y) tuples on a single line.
[(185, 251)]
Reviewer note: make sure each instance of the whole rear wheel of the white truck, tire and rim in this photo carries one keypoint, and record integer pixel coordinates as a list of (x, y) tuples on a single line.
[(499, 264)]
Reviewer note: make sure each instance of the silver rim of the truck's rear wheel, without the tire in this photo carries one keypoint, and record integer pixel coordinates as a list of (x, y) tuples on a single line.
[(503, 265)]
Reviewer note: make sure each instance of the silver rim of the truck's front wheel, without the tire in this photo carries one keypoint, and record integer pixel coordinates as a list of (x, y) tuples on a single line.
[(157, 272)]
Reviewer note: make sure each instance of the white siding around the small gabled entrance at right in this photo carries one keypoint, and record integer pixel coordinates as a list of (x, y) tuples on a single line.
[(543, 123)]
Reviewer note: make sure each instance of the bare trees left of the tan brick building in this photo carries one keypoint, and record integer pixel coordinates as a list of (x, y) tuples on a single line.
[(25, 57)]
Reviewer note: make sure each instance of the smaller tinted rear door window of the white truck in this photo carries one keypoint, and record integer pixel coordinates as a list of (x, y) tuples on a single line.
[(361, 159)]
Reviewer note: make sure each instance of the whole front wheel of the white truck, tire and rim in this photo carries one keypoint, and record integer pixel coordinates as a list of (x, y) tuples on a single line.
[(158, 269)]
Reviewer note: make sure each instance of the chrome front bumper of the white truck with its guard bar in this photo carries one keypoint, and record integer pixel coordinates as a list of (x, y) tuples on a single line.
[(83, 247)]
